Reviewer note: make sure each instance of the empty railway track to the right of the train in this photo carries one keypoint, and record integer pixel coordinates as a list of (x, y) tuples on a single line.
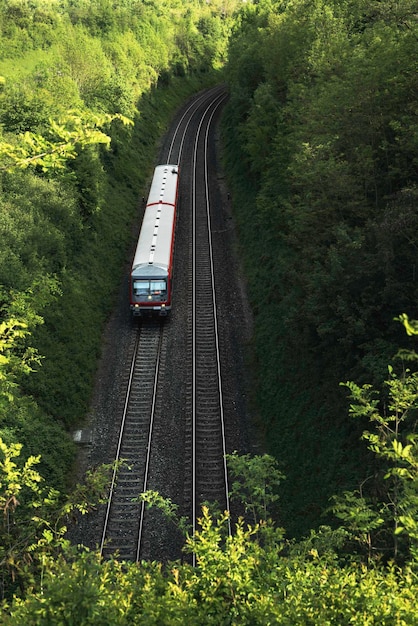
[(206, 413)]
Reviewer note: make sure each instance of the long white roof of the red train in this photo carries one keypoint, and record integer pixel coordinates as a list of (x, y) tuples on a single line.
[(153, 252)]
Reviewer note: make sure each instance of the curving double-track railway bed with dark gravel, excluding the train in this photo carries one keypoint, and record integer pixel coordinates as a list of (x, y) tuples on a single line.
[(178, 412)]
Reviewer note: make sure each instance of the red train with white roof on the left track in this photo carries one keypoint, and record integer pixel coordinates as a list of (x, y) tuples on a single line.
[(151, 275)]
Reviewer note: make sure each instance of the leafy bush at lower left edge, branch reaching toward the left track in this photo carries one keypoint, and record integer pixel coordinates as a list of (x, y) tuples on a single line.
[(34, 517)]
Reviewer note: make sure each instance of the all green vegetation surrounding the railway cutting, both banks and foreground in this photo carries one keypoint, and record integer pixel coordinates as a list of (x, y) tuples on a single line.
[(320, 148)]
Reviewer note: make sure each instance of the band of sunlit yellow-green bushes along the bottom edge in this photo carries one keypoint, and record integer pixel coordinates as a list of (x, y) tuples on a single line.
[(237, 581)]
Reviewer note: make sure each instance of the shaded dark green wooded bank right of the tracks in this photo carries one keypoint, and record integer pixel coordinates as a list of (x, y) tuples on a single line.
[(321, 137)]
